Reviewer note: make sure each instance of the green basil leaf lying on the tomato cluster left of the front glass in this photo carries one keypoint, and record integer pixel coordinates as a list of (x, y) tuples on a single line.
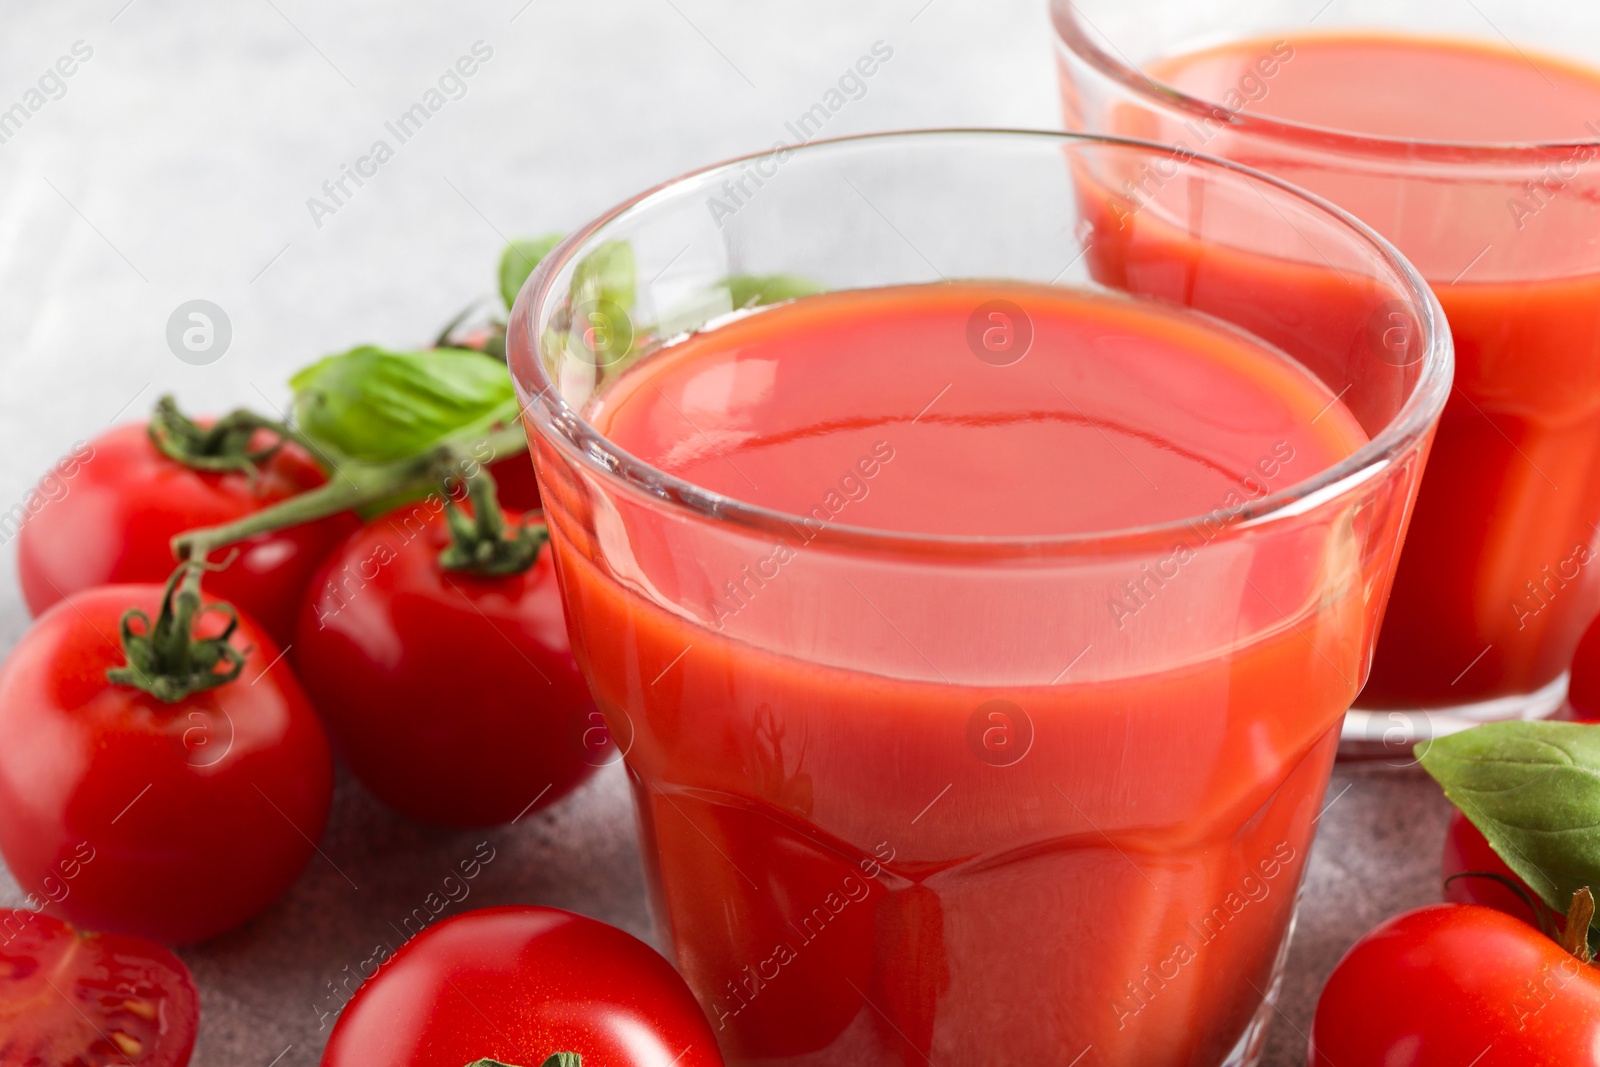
[(375, 406)]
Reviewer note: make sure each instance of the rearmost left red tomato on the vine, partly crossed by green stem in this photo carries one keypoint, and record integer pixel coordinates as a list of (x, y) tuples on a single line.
[(110, 513)]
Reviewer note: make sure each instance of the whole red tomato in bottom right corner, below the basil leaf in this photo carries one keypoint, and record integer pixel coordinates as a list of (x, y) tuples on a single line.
[(1458, 985)]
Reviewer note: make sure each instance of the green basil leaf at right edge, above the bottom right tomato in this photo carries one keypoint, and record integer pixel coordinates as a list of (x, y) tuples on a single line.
[(1534, 791)]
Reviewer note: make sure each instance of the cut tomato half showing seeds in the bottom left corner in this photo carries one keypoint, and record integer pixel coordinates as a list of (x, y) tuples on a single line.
[(71, 997)]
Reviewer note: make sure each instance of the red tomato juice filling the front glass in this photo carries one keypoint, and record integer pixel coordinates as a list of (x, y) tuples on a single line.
[(897, 841)]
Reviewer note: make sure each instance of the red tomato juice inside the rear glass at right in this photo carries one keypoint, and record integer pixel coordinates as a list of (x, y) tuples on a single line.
[(1495, 585)]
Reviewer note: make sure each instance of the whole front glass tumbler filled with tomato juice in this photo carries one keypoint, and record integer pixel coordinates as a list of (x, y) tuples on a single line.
[(977, 625)]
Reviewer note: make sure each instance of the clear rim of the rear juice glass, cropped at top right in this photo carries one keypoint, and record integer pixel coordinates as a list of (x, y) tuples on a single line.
[(1070, 34)]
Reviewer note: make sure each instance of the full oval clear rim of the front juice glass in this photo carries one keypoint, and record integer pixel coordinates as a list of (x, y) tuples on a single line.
[(543, 402)]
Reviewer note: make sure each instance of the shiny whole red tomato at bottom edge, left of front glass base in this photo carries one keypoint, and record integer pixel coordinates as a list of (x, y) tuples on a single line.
[(521, 985)]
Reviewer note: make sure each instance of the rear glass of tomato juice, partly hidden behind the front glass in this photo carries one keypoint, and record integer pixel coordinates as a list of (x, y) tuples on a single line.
[(1460, 134)]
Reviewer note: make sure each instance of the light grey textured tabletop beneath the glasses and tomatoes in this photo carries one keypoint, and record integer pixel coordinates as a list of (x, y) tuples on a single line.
[(177, 164)]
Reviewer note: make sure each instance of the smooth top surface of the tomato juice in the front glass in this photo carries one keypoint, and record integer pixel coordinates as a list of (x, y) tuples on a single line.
[(1132, 426)]
